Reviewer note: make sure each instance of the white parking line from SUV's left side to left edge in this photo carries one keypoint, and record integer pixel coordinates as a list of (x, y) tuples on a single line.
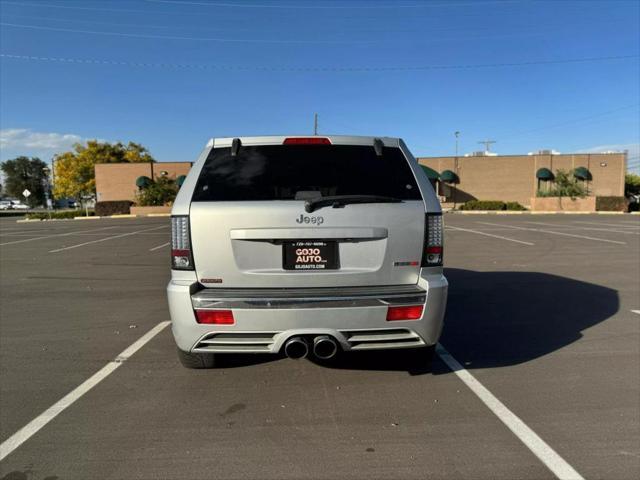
[(26, 432)]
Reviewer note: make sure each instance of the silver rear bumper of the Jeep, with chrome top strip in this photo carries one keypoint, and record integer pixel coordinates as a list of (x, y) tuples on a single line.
[(266, 318)]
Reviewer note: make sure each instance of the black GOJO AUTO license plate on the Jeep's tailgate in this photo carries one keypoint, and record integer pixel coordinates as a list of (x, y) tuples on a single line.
[(310, 255)]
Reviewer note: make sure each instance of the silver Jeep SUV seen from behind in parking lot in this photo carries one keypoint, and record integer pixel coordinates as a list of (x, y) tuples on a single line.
[(305, 246)]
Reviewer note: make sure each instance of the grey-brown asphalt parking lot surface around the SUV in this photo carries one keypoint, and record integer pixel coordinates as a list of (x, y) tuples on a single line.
[(543, 312)]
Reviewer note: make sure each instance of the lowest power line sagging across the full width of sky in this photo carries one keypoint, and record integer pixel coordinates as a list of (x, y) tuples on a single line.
[(286, 68)]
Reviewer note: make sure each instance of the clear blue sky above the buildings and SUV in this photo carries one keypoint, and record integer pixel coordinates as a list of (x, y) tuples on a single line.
[(188, 70)]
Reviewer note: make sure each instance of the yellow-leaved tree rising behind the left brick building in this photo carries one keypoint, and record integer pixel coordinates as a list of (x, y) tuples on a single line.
[(74, 170)]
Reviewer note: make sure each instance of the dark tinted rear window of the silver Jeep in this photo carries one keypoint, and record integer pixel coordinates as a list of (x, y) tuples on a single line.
[(289, 172)]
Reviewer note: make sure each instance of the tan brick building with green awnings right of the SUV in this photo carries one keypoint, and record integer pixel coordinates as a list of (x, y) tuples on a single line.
[(518, 177)]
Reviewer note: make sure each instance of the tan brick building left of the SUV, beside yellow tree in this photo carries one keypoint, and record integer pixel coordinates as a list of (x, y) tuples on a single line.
[(117, 181)]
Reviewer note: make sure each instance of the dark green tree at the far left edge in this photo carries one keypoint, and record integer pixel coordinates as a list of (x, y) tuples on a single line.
[(26, 173)]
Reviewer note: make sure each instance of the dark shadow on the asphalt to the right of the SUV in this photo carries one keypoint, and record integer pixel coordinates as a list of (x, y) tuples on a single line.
[(497, 319)]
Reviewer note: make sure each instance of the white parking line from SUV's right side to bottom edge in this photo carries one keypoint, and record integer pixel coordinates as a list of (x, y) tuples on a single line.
[(547, 455)]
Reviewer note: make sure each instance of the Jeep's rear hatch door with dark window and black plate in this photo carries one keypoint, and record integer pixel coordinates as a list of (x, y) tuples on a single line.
[(250, 227)]
